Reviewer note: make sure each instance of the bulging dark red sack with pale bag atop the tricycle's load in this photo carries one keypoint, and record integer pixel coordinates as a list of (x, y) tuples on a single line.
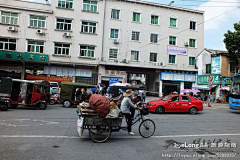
[(103, 107)]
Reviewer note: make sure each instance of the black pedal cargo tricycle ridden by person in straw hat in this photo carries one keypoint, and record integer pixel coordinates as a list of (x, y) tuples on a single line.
[(100, 129)]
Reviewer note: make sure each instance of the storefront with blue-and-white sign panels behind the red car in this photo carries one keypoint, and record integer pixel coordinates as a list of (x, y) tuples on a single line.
[(175, 81)]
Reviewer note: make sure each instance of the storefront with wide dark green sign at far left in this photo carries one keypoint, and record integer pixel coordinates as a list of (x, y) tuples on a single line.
[(17, 64)]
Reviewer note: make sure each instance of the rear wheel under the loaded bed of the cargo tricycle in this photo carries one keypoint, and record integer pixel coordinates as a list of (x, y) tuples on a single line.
[(100, 132)]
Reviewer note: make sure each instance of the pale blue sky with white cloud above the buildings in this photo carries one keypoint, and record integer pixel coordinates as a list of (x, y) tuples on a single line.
[(215, 28)]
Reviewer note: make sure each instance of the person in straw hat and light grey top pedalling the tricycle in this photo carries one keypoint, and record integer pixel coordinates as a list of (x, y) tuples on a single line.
[(125, 108)]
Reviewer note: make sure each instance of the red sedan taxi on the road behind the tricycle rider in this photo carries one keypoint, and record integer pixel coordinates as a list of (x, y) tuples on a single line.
[(176, 103)]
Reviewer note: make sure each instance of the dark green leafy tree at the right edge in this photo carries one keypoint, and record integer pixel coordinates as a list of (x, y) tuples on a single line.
[(232, 43)]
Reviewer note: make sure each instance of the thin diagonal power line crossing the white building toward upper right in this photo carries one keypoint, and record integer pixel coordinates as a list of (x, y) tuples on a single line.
[(183, 30)]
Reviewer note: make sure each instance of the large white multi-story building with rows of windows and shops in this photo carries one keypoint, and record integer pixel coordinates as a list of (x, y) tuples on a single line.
[(92, 41)]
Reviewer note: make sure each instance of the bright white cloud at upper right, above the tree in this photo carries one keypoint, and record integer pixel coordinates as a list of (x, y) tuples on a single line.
[(211, 12)]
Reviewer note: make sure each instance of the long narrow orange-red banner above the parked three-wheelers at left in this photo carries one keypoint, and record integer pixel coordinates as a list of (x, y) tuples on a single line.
[(56, 79)]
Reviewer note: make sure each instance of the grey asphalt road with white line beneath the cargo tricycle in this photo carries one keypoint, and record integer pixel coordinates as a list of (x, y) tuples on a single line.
[(28, 133)]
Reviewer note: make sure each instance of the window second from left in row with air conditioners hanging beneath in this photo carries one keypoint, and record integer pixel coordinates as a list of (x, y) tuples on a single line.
[(37, 21)]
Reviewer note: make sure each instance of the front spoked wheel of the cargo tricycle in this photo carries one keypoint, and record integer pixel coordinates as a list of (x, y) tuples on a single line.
[(146, 128)]
